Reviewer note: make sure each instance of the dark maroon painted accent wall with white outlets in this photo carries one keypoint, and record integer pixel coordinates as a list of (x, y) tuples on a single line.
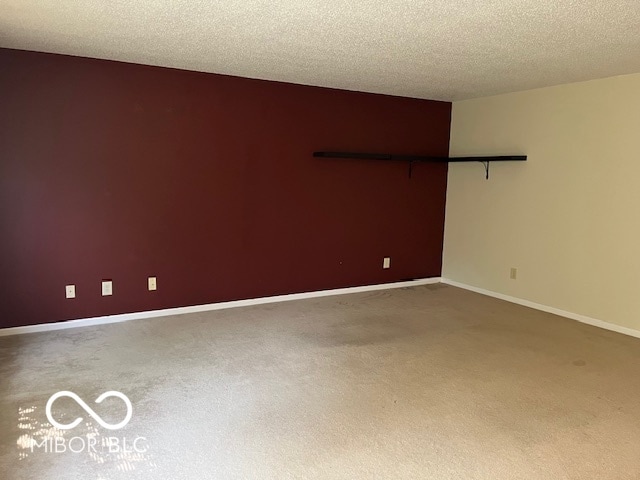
[(120, 171)]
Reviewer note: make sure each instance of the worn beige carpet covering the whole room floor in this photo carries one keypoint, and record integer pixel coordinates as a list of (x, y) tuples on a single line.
[(427, 382)]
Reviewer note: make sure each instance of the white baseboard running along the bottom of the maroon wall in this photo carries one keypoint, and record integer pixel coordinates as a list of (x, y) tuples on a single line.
[(125, 317)]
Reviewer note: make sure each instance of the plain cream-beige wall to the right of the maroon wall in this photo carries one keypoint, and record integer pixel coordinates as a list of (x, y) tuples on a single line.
[(569, 218)]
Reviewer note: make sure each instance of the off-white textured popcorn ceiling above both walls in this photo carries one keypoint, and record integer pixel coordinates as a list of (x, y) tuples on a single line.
[(438, 49)]
